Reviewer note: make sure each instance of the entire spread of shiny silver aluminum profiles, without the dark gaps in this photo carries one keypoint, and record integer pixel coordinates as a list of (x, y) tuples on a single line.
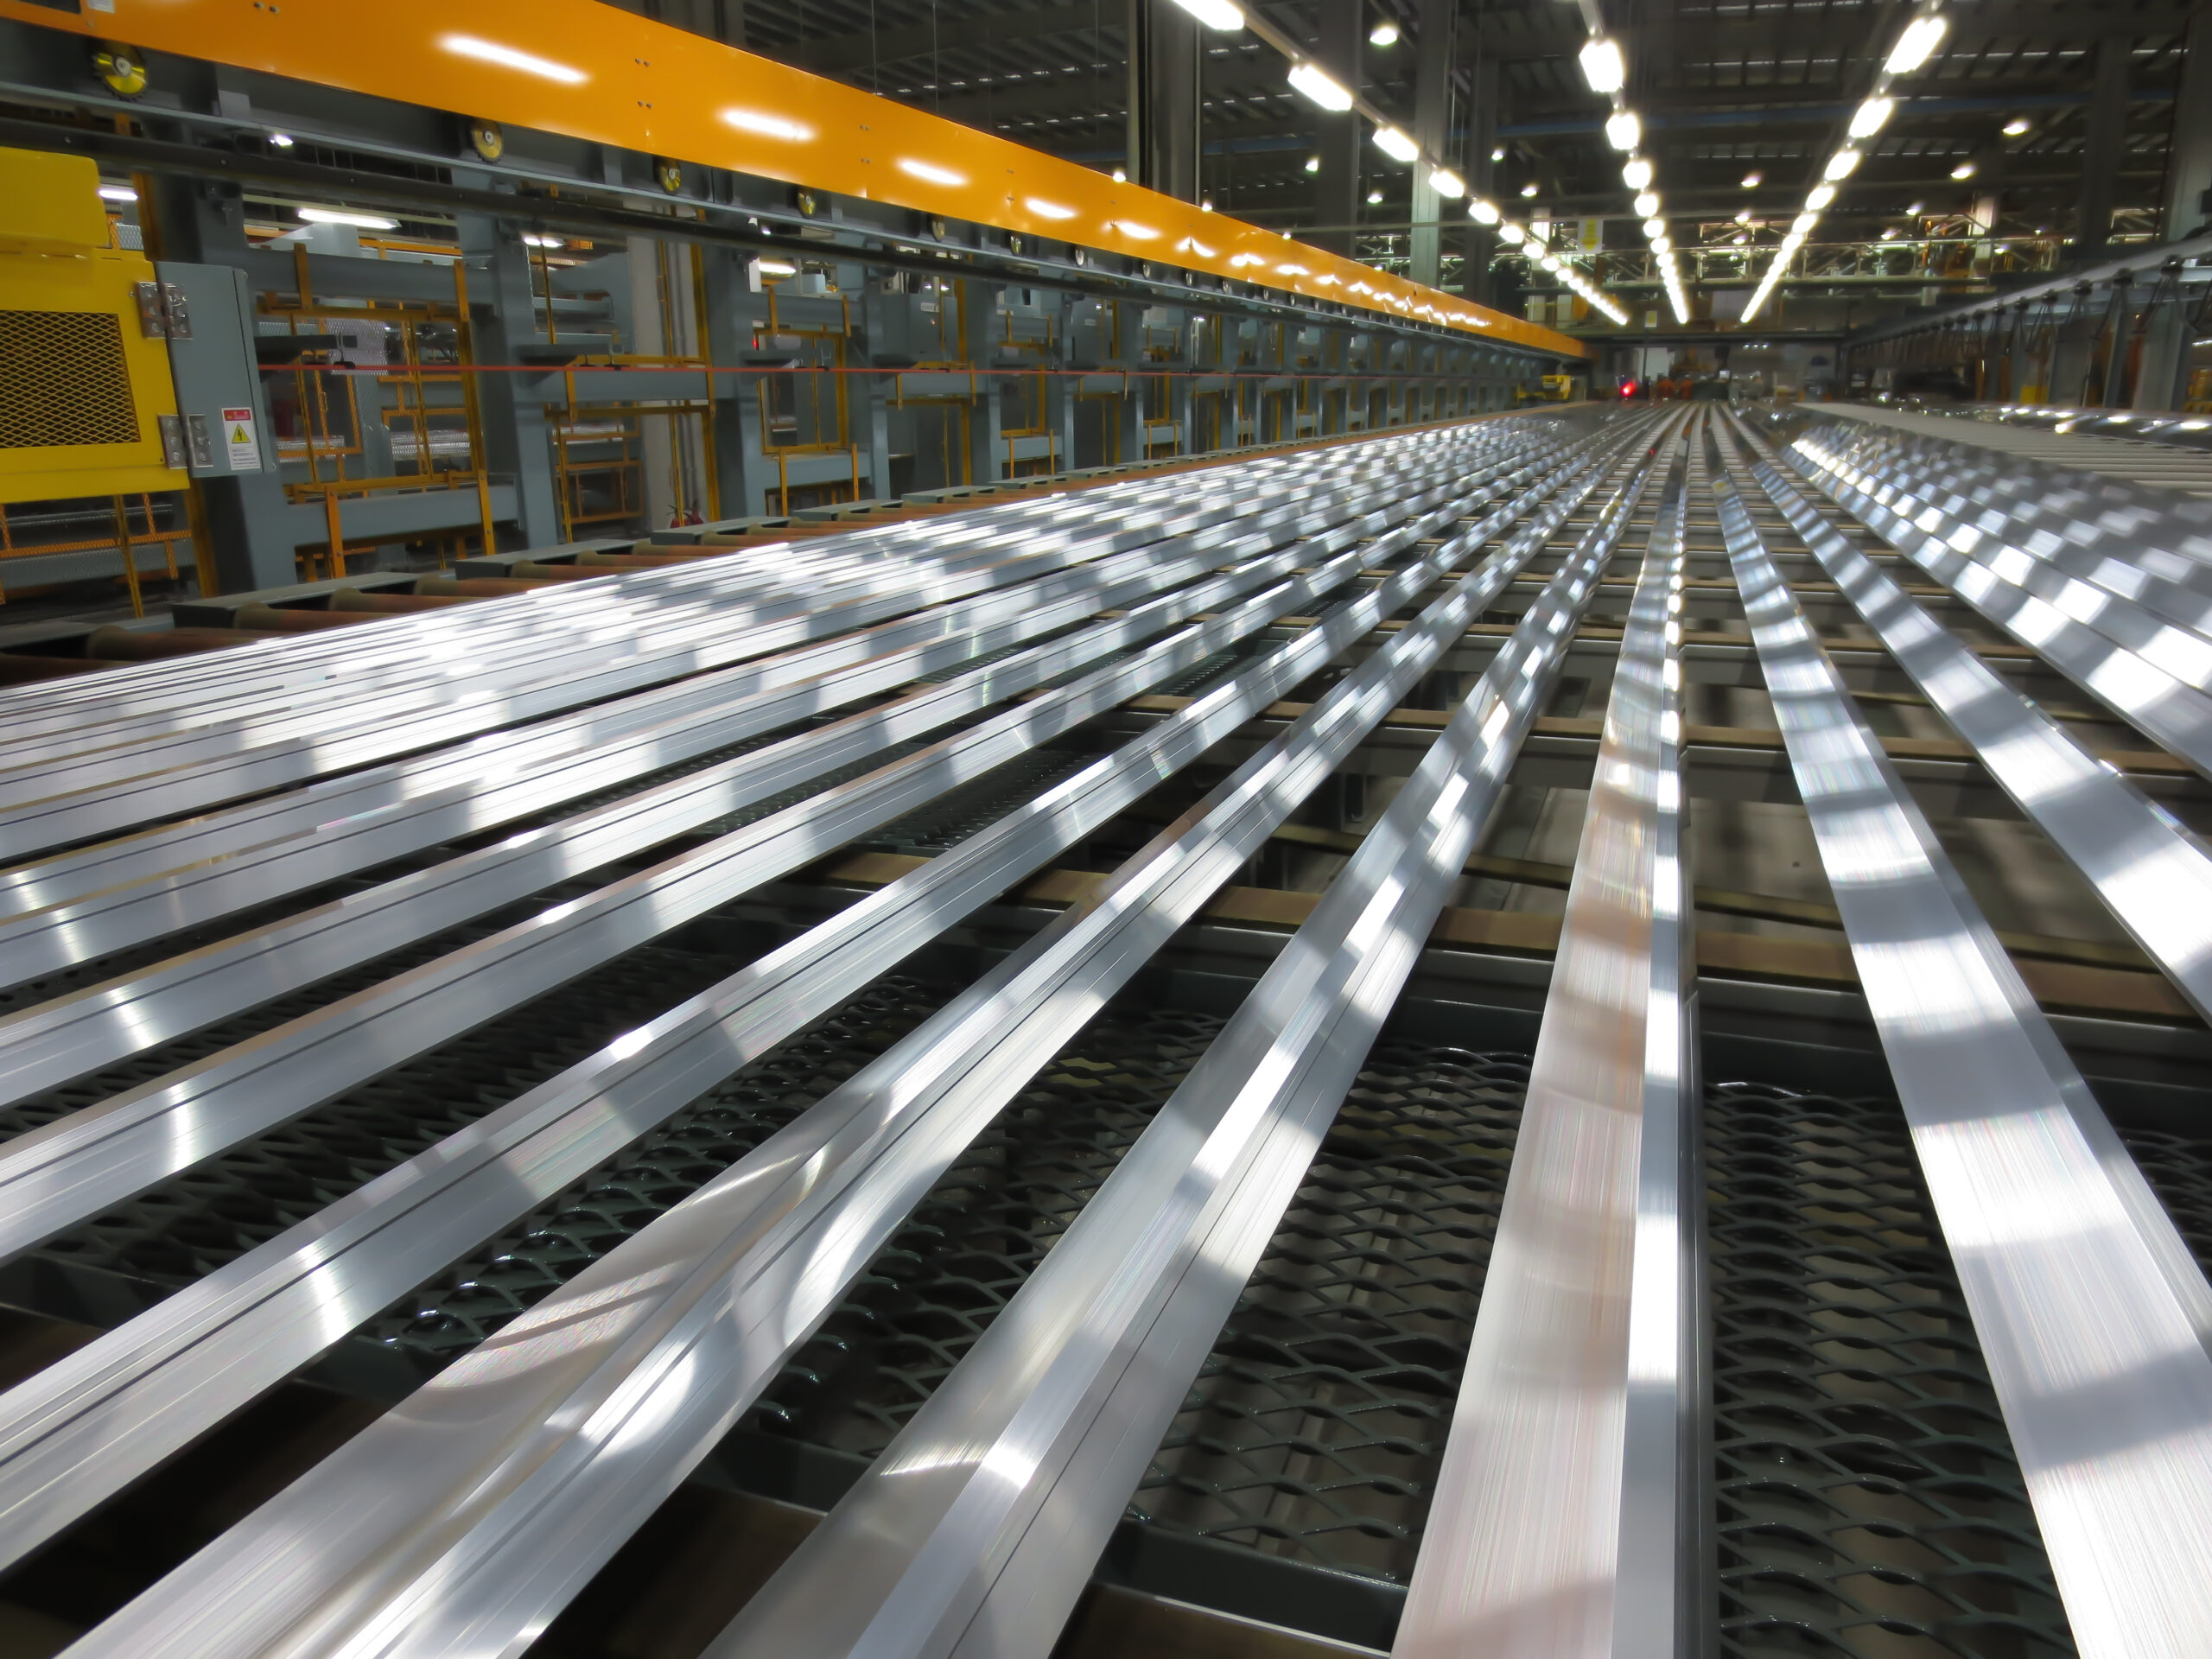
[(1572, 1514)]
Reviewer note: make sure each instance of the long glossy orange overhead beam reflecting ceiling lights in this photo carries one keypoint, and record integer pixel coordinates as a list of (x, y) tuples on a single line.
[(609, 76)]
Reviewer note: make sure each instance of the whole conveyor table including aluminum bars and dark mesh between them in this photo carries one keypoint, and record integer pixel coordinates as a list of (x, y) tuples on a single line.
[(789, 1021)]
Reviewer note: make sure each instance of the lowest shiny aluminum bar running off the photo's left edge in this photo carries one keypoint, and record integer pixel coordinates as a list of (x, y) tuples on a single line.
[(209, 1348)]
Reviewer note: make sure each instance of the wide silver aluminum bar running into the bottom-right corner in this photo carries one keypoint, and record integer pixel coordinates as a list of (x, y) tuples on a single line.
[(2091, 1313)]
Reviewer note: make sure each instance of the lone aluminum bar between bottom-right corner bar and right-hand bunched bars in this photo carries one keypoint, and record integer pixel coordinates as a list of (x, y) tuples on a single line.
[(2149, 870)]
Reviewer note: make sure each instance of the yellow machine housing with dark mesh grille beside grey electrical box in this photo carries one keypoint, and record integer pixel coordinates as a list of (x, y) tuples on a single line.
[(83, 384)]
